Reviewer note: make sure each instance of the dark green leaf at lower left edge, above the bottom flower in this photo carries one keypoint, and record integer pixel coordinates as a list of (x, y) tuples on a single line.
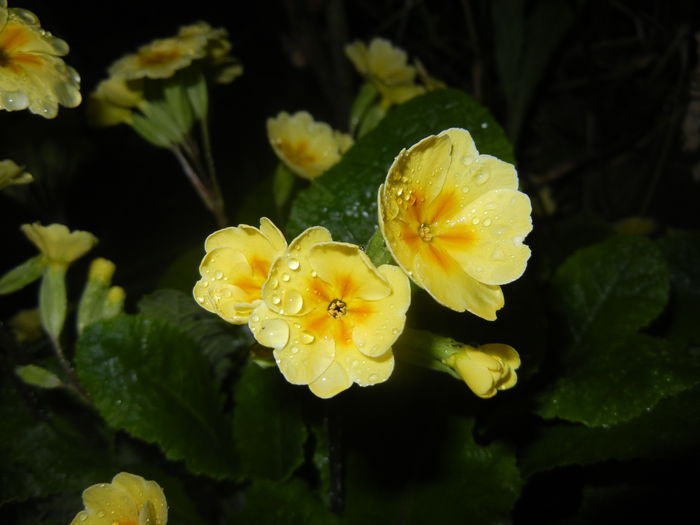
[(42, 453)]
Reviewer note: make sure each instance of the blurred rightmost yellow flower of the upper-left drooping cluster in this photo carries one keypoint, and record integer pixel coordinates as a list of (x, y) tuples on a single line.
[(225, 68)]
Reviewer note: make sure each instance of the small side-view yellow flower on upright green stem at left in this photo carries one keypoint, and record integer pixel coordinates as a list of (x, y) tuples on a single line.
[(59, 245)]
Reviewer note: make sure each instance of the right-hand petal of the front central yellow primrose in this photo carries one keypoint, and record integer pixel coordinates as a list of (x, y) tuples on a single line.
[(375, 334)]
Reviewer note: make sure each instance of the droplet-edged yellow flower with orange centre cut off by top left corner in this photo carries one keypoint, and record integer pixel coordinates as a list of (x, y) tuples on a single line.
[(32, 74)]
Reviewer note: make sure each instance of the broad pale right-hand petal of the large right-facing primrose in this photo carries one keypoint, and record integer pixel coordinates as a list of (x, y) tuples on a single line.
[(498, 221)]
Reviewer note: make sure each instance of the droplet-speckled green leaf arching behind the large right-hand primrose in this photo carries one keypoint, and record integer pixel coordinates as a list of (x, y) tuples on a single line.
[(344, 199)]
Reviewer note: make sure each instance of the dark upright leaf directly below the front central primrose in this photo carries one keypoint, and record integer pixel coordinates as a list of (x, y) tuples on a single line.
[(268, 429)]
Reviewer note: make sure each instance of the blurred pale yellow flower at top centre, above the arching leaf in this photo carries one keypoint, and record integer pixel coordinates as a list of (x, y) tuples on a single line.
[(385, 67)]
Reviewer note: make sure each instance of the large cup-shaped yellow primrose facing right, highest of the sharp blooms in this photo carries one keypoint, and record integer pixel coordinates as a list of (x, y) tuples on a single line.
[(455, 222)]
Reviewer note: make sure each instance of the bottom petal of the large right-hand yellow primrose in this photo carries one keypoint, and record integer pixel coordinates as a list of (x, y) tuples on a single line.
[(454, 288)]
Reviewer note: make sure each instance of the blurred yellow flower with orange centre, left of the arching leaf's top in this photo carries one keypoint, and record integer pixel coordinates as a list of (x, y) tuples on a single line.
[(307, 147)]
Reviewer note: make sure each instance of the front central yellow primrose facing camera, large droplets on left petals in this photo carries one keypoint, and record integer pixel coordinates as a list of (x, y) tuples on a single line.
[(330, 315)]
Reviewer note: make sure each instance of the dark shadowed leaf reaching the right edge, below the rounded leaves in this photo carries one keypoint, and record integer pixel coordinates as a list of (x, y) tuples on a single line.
[(671, 429)]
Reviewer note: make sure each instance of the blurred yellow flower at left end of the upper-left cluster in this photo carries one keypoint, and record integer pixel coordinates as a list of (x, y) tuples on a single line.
[(113, 101)]
